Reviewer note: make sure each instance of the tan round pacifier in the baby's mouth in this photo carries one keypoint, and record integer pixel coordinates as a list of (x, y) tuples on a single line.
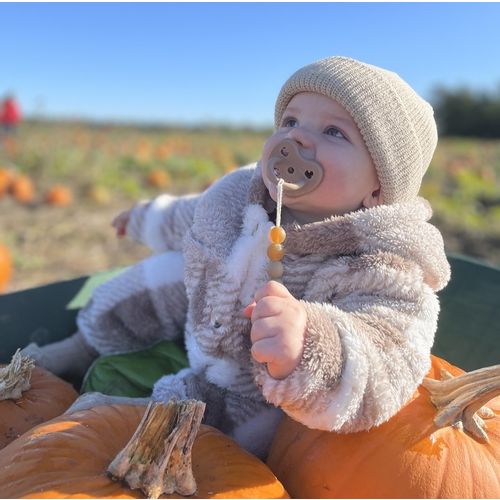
[(300, 175)]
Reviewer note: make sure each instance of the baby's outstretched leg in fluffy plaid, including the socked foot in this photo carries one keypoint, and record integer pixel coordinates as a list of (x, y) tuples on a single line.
[(139, 307)]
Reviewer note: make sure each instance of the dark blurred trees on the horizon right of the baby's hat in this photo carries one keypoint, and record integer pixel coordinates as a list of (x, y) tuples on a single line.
[(466, 112)]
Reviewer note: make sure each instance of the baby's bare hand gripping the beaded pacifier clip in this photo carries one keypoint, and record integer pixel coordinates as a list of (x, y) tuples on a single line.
[(278, 329)]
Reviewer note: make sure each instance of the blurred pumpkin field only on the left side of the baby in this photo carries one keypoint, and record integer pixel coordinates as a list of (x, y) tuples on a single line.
[(61, 184)]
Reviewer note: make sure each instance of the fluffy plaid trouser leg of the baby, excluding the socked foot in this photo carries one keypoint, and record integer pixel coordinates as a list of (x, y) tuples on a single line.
[(139, 307)]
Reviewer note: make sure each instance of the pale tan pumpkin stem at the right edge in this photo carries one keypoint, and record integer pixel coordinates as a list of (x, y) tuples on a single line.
[(459, 400)]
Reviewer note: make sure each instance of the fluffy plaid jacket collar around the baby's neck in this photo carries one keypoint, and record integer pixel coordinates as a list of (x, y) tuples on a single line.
[(400, 228)]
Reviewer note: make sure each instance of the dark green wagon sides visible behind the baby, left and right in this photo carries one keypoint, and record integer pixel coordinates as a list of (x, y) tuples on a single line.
[(468, 330)]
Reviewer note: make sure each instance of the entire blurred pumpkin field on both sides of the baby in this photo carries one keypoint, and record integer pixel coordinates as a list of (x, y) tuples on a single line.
[(61, 184)]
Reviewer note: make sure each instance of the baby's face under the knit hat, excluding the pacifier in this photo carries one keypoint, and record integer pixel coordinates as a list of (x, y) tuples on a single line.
[(326, 132)]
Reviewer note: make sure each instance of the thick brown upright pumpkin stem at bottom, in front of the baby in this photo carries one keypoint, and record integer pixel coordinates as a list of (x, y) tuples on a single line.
[(157, 459)]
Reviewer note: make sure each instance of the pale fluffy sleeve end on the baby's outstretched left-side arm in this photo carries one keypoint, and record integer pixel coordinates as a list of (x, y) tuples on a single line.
[(161, 223)]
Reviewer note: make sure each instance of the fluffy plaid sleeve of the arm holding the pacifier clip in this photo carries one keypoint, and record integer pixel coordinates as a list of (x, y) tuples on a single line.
[(365, 353)]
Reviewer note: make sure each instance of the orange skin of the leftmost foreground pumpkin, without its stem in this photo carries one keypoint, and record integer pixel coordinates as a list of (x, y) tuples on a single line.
[(48, 397)]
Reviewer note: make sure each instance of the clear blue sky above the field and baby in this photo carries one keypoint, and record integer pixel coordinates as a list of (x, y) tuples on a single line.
[(225, 62)]
